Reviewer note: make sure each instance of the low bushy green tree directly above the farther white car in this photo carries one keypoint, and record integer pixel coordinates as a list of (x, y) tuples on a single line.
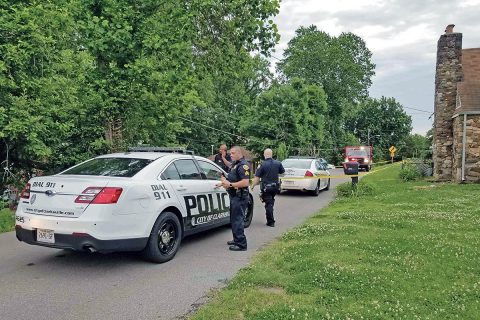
[(291, 113)]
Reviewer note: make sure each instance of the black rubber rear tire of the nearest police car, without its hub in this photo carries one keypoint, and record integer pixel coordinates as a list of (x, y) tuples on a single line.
[(152, 251)]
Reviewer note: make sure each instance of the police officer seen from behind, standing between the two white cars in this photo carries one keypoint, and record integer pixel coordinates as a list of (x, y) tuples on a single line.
[(268, 171)]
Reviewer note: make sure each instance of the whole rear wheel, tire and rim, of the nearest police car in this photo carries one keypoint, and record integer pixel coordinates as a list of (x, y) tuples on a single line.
[(164, 239)]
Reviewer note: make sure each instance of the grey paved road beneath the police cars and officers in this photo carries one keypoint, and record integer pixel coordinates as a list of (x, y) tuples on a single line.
[(43, 283)]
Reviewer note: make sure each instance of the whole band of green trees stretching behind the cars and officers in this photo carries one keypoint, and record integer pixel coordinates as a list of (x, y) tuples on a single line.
[(82, 78)]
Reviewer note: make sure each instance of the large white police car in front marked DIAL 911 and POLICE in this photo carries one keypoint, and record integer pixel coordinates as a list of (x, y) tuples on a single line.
[(146, 199)]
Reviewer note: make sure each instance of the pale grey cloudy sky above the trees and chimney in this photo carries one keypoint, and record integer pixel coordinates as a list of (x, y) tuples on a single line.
[(402, 35)]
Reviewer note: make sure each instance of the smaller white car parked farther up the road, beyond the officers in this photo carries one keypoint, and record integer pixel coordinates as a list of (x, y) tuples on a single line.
[(305, 174)]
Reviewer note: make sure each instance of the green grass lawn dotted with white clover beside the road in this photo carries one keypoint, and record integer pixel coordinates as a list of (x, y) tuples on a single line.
[(410, 251)]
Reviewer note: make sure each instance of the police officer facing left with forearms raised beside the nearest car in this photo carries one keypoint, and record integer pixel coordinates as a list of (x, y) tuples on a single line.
[(236, 185)]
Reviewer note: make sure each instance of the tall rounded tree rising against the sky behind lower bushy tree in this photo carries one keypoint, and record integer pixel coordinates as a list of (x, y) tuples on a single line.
[(341, 65)]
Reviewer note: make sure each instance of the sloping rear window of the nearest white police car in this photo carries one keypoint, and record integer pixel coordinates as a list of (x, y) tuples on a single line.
[(110, 167)]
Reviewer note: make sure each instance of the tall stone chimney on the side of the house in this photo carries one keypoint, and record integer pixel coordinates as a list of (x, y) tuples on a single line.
[(448, 73)]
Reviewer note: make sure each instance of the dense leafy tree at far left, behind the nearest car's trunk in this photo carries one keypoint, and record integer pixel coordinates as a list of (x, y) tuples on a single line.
[(47, 99)]
